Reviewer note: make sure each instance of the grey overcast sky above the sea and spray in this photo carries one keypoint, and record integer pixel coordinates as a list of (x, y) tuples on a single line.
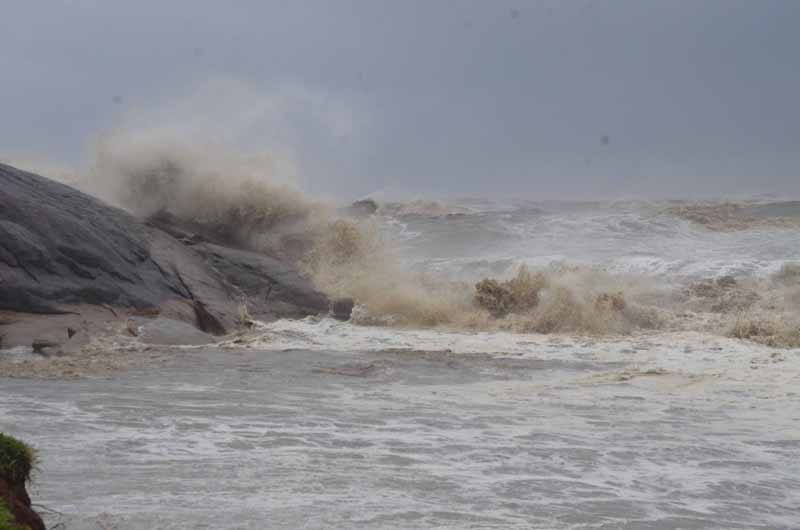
[(546, 98)]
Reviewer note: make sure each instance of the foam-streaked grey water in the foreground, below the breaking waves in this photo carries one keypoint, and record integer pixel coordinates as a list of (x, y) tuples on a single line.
[(660, 431)]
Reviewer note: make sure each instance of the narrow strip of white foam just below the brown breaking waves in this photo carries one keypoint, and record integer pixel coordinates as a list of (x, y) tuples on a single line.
[(681, 352)]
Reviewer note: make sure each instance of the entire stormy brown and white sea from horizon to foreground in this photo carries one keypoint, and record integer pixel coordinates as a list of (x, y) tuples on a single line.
[(510, 363)]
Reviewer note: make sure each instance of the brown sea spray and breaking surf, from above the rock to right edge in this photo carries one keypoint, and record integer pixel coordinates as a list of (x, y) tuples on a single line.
[(246, 201)]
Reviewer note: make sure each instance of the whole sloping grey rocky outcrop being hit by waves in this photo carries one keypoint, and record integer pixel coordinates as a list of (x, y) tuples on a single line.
[(65, 253)]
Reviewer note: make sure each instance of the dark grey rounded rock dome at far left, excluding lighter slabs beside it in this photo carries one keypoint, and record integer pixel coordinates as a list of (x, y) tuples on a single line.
[(59, 246)]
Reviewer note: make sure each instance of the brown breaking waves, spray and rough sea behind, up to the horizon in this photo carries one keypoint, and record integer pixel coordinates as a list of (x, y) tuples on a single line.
[(478, 263)]
